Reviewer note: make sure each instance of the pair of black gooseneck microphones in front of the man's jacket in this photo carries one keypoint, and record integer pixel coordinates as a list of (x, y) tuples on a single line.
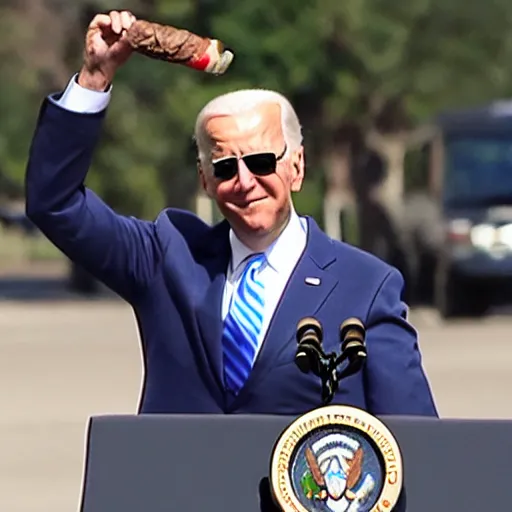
[(310, 356)]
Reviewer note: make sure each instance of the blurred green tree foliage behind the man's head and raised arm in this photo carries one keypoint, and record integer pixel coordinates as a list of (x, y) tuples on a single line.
[(360, 64)]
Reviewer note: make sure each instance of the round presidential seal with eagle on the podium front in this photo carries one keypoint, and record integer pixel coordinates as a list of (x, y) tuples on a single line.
[(336, 459)]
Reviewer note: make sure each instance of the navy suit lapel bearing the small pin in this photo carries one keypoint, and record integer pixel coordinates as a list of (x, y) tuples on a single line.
[(302, 297)]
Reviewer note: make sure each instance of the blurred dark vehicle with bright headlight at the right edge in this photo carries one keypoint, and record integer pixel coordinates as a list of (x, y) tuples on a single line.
[(470, 173)]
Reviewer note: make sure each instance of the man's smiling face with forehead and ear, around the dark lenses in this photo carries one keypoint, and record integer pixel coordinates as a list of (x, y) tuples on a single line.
[(254, 205)]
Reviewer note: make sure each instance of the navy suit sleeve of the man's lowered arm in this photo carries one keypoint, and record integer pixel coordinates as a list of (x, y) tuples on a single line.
[(395, 381)]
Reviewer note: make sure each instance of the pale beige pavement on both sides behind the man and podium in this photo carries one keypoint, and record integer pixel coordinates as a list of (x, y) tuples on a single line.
[(56, 361)]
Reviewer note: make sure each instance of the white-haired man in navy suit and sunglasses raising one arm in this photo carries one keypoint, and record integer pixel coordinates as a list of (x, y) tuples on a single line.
[(217, 307)]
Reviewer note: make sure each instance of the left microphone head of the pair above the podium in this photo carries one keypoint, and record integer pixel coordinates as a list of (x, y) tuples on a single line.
[(309, 351)]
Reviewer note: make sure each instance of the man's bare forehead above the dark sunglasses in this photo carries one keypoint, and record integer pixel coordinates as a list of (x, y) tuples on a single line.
[(255, 127)]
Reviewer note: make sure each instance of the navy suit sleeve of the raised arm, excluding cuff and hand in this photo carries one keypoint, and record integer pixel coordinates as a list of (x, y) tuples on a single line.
[(120, 251)]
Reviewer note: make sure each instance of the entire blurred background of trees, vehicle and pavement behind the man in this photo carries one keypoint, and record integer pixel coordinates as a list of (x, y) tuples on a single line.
[(407, 123)]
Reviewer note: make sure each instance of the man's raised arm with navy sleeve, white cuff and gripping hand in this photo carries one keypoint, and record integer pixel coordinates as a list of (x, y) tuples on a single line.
[(122, 252)]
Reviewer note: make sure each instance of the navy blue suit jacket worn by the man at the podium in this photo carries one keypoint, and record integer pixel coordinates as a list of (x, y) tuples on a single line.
[(172, 272)]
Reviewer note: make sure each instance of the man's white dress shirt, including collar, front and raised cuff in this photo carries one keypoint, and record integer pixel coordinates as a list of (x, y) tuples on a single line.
[(281, 257)]
